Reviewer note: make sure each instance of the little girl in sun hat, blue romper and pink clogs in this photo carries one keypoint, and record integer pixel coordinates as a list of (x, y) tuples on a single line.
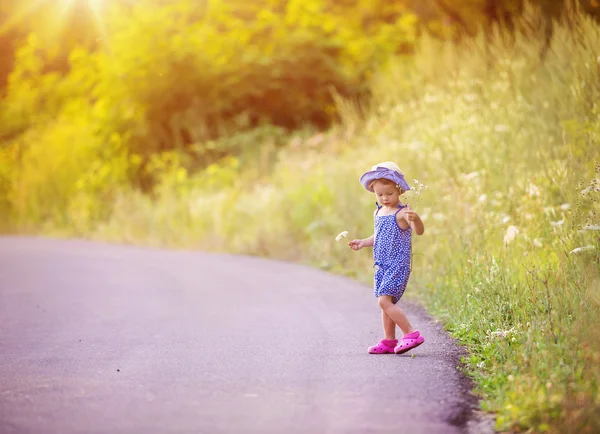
[(394, 224)]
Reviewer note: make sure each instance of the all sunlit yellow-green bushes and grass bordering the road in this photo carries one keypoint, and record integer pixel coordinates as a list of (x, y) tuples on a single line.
[(243, 126)]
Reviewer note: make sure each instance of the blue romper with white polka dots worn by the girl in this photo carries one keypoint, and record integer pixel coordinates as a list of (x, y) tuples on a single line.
[(391, 253)]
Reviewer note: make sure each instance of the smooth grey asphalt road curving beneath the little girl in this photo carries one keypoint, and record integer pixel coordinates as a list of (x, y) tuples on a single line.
[(98, 338)]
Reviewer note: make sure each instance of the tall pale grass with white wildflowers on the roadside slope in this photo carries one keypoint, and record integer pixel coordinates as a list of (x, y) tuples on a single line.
[(509, 148)]
